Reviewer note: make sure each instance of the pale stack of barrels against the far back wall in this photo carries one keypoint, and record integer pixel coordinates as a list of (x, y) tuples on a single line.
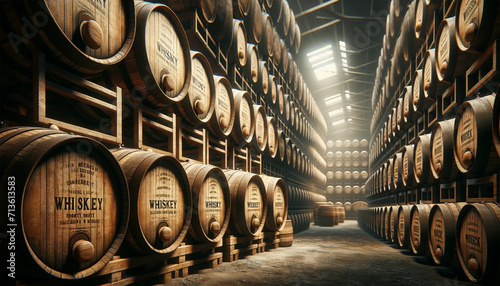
[(347, 171)]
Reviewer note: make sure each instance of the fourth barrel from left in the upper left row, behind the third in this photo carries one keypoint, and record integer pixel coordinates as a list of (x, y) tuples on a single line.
[(222, 121)]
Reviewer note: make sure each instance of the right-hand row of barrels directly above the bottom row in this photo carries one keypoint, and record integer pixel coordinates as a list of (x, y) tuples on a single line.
[(466, 146)]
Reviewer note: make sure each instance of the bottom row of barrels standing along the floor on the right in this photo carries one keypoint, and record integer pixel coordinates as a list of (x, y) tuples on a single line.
[(458, 235)]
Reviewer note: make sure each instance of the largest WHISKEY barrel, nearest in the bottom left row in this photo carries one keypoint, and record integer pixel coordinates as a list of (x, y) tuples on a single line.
[(84, 195)]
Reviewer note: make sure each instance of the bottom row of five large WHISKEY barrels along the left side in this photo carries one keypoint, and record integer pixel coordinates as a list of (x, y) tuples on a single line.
[(75, 201)]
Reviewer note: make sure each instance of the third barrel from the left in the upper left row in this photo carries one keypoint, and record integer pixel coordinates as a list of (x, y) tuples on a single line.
[(199, 104)]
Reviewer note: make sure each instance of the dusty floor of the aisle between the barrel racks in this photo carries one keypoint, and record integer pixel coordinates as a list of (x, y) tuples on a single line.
[(343, 255)]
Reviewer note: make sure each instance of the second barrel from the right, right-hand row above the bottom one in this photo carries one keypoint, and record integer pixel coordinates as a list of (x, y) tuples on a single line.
[(443, 165)]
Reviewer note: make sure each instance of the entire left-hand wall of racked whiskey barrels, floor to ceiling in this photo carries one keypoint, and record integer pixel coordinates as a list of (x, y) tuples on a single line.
[(105, 200)]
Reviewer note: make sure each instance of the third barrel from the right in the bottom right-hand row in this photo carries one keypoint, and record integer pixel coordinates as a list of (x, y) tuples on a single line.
[(419, 228)]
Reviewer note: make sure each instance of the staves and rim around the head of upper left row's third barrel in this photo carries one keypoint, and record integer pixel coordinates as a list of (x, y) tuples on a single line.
[(185, 107)]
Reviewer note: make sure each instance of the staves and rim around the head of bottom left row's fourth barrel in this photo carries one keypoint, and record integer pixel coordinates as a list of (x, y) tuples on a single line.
[(238, 190)]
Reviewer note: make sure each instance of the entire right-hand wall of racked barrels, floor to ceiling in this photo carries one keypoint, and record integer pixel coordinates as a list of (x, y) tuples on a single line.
[(434, 151)]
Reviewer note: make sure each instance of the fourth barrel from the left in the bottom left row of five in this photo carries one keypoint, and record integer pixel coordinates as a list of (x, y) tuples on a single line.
[(248, 202)]
